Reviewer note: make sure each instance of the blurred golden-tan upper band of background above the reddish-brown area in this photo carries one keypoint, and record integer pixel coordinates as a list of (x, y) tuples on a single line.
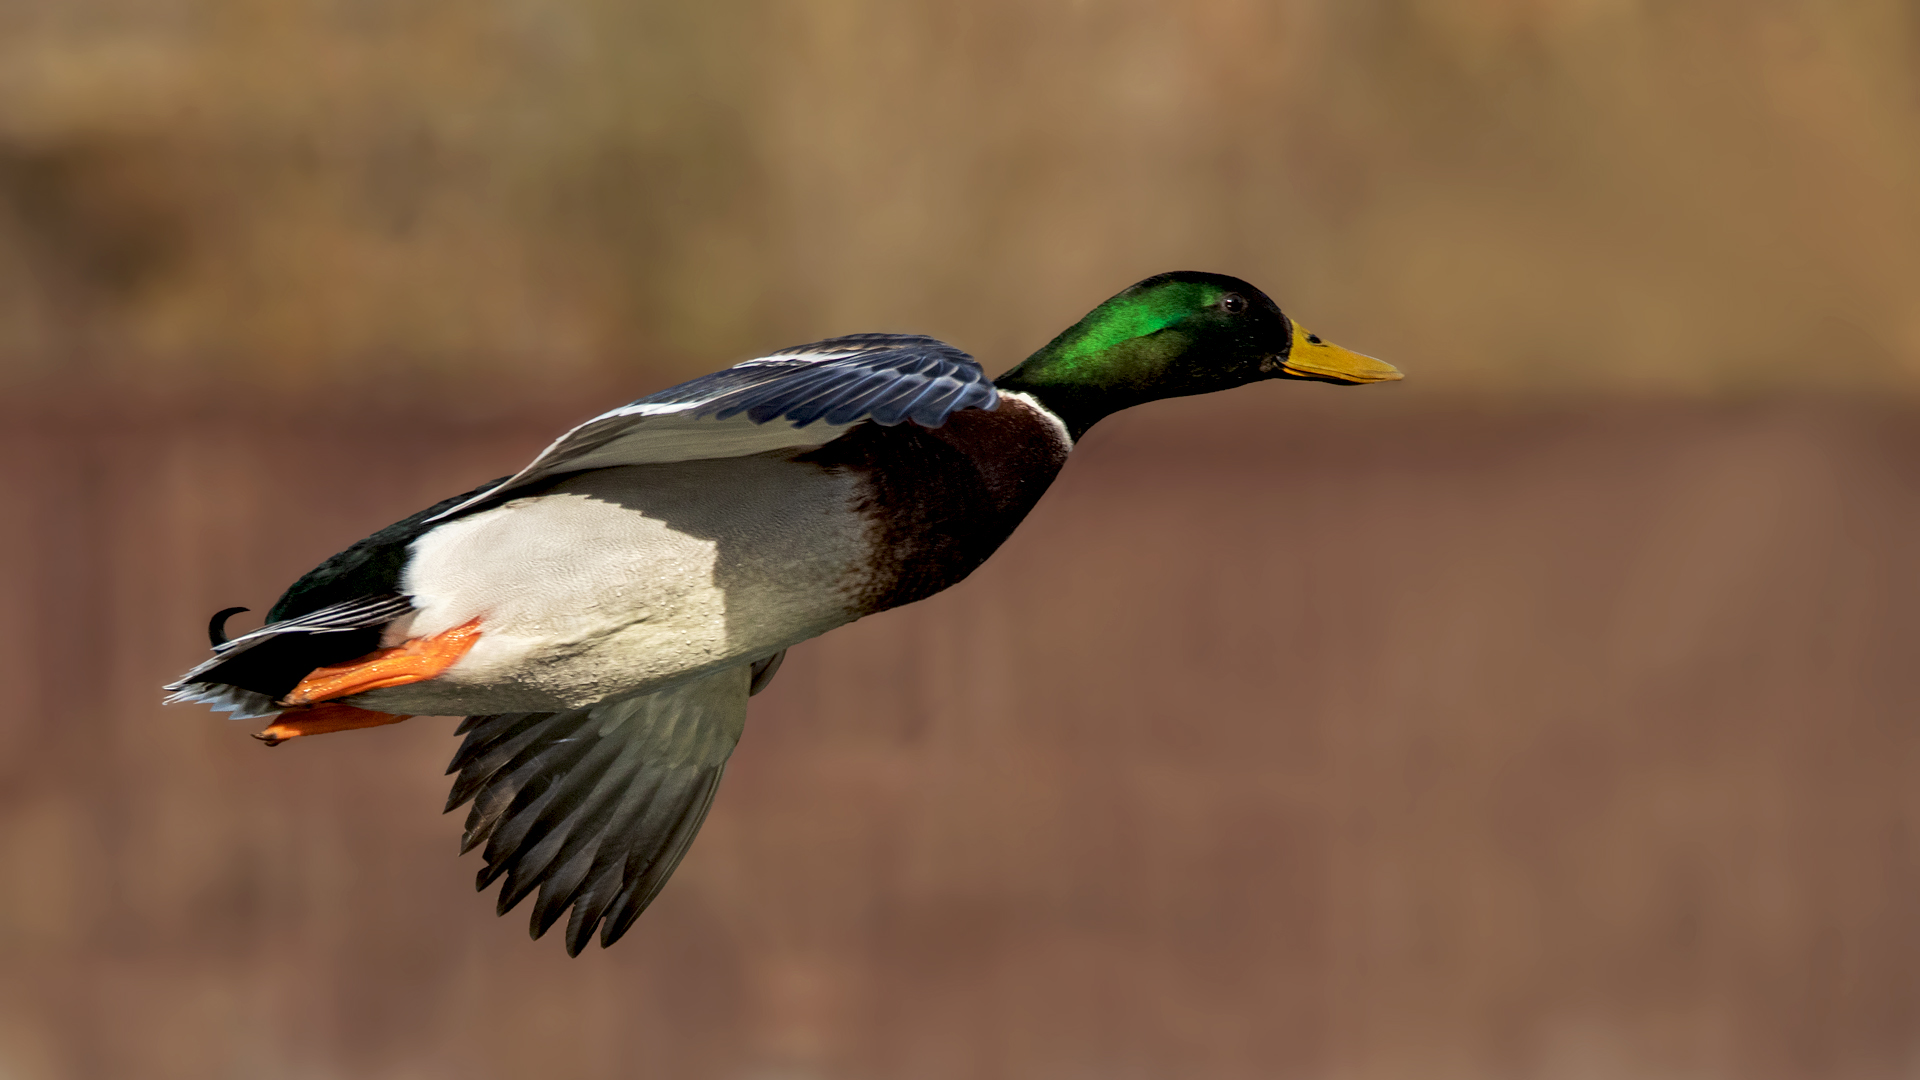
[(1593, 195)]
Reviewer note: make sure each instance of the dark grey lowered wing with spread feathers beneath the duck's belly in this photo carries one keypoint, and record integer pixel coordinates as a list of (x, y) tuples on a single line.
[(596, 806)]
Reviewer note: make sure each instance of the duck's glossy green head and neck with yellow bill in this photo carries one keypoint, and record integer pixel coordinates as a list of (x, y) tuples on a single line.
[(1176, 335)]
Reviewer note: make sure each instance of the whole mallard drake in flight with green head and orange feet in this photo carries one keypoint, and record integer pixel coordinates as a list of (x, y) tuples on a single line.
[(604, 614)]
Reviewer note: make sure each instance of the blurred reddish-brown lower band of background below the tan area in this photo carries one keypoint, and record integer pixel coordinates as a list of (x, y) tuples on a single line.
[(1301, 733)]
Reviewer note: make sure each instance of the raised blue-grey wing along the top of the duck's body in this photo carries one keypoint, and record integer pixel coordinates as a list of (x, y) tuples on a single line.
[(836, 383)]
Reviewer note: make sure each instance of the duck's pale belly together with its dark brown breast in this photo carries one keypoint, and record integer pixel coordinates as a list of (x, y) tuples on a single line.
[(617, 581)]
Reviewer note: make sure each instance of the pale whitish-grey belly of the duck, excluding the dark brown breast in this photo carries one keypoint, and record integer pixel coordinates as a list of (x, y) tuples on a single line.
[(629, 579)]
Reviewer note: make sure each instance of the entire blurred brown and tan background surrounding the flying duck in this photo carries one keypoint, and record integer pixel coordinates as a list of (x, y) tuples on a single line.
[(1547, 716)]
